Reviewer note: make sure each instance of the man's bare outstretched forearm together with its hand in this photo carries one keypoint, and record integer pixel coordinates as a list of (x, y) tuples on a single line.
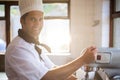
[(64, 71)]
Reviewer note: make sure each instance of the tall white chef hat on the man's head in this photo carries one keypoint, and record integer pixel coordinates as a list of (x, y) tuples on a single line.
[(30, 5)]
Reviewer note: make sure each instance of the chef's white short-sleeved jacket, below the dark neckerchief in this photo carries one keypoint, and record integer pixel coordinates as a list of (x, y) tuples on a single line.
[(22, 61)]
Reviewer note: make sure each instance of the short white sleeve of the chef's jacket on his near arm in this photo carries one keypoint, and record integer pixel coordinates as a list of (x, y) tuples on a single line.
[(25, 65)]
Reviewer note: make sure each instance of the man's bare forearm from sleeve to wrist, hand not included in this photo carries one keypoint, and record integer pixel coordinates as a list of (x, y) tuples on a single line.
[(63, 72)]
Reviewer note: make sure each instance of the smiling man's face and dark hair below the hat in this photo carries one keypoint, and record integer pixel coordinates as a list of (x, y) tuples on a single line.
[(33, 23)]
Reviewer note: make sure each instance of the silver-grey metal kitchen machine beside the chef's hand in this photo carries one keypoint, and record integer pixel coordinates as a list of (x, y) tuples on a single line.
[(106, 60)]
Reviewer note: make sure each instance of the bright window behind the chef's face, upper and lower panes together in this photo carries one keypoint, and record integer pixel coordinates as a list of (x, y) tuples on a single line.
[(56, 30)]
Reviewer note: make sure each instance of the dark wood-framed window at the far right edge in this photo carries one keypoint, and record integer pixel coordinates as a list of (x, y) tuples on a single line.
[(114, 24)]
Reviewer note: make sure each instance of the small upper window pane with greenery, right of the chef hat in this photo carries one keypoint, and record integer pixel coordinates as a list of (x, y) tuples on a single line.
[(56, 10)]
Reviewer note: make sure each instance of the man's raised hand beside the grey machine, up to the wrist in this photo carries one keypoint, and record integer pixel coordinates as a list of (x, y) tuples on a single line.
[(89, 54)]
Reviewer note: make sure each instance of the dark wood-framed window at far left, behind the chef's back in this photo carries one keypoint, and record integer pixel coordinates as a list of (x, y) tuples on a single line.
[(5, 32)]
